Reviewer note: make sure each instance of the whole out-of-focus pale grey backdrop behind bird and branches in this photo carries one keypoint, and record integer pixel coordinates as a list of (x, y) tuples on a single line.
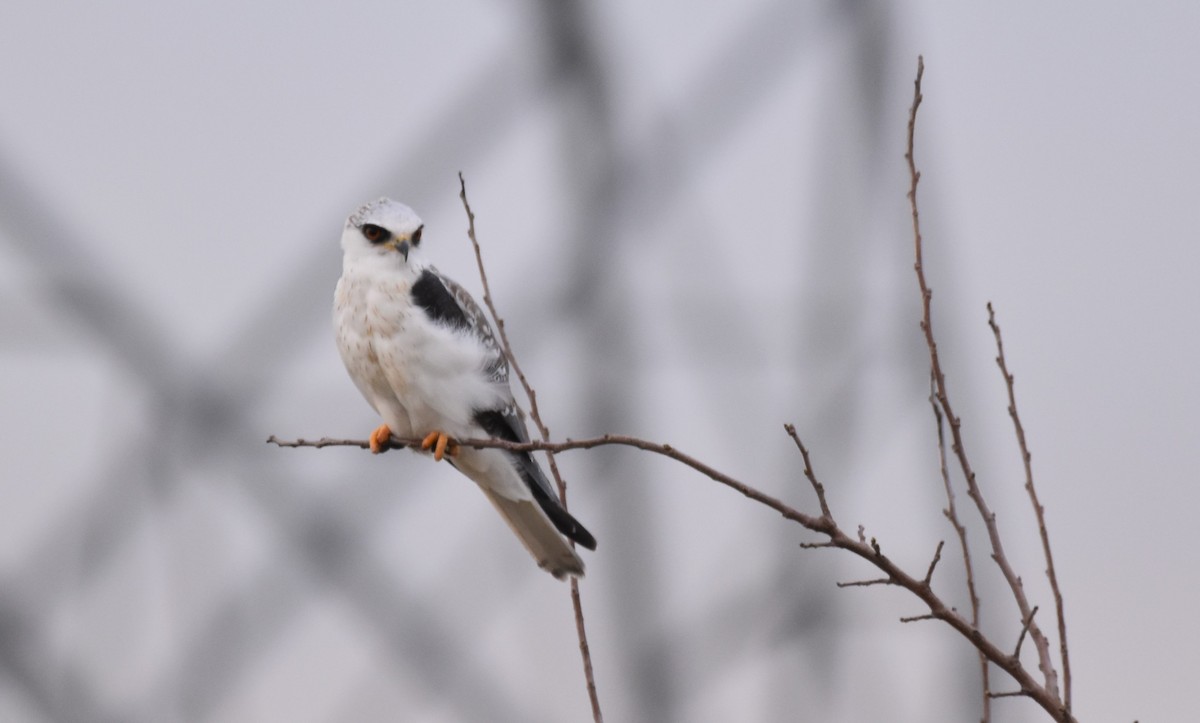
[(695, 224)]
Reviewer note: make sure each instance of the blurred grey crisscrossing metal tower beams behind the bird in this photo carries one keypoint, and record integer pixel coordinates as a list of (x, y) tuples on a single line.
[(197, 417)]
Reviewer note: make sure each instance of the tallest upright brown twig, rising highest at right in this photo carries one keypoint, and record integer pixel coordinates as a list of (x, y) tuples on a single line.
[(958, 447)]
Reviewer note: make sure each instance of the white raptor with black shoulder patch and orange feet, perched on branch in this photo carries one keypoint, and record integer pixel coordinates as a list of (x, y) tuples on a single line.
[(424, 356)]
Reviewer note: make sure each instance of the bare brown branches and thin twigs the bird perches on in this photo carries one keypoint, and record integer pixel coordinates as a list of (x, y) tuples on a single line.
[(1046, 689)]
